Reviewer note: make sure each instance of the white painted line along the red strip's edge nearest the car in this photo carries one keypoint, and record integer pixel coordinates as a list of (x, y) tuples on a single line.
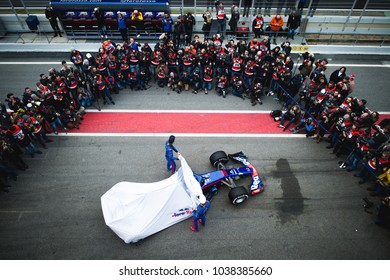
[(192, 135)]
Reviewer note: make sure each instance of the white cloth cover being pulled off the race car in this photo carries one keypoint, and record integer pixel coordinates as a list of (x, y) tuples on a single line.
[(136, 210)]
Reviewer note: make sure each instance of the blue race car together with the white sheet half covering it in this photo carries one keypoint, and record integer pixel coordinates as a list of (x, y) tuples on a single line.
[(136, 210)]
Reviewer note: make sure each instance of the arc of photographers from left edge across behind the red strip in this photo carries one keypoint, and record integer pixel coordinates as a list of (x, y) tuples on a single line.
[(244, 69)]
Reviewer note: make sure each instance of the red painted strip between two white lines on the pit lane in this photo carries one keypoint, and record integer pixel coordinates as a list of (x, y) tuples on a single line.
[(177, 122)]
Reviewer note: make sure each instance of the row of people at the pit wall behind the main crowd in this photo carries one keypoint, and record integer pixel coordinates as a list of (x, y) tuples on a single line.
[(182, 28)]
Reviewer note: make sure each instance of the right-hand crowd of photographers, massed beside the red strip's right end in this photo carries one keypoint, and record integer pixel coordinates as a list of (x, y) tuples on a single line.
[(318, 104)]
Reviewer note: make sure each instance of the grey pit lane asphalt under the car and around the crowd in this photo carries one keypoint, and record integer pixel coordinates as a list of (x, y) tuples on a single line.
[(310, 209)]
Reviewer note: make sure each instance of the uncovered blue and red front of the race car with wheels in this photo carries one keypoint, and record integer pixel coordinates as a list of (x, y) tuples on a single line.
[(223, 176)]
